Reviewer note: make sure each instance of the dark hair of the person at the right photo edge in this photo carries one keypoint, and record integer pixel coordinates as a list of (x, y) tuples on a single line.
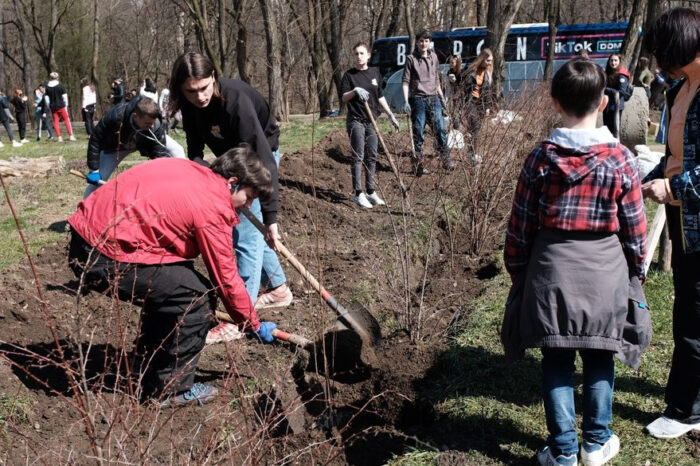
[(674, 39)]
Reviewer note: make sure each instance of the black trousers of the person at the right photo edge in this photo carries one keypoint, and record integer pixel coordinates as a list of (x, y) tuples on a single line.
[(683, 388)]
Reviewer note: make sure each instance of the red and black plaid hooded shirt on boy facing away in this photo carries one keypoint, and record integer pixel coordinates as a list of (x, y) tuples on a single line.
[(566, 189)]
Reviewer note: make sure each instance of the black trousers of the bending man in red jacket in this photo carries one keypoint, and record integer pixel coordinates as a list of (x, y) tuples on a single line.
[(177, 313)]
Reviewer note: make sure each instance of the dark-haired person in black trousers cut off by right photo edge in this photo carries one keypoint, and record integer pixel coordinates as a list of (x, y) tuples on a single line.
[(674, 40)]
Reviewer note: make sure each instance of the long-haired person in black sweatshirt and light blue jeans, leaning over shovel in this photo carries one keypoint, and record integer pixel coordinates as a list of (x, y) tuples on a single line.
[(223, 113)]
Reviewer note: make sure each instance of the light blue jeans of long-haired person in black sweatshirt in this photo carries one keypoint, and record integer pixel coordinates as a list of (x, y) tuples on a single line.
[(256, 261)]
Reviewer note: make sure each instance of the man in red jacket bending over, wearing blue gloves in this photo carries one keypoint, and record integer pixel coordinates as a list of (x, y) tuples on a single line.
[(145, 226)]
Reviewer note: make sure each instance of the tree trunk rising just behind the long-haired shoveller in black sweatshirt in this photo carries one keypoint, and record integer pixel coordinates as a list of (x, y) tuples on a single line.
[(274, 77)]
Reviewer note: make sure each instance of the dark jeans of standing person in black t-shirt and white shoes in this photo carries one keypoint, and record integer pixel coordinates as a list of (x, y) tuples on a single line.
[(363, 144)]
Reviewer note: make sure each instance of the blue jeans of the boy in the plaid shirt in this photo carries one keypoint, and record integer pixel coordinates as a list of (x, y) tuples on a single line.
[(558, 366)]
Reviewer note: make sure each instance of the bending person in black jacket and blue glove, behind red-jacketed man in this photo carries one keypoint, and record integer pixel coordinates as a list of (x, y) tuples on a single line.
[(136, 125)]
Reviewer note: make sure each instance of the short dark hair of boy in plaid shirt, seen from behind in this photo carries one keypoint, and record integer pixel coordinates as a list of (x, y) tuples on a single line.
[(578, 87)]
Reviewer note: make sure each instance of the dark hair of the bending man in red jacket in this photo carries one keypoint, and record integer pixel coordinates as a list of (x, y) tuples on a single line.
[(245, 165)]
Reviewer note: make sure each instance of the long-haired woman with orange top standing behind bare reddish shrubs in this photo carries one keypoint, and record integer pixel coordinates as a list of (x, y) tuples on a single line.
[(478, 95)]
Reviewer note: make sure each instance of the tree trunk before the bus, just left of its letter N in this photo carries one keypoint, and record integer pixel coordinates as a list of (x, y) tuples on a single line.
[(501, 14)]
